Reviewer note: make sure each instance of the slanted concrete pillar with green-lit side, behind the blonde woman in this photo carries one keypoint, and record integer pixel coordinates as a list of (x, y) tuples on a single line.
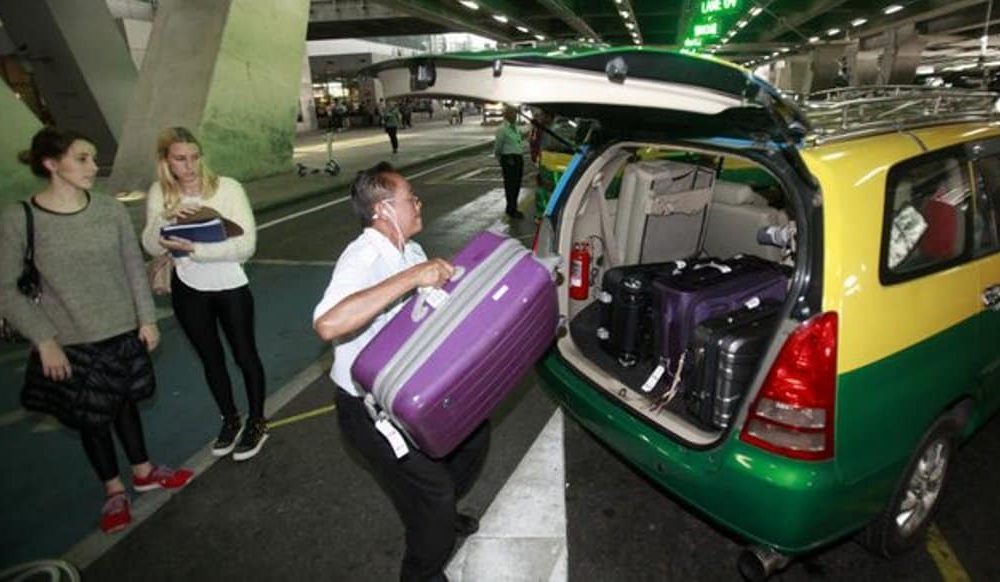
[(228, 69)]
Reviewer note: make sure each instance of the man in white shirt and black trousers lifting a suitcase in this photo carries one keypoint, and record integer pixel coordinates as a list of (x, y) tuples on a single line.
[(380, 268)]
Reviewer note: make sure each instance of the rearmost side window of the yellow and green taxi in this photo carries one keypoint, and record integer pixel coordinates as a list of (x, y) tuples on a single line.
[(928, 208)]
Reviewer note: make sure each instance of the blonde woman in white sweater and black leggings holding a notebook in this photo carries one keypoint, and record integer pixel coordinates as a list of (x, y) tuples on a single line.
[(209, 288)]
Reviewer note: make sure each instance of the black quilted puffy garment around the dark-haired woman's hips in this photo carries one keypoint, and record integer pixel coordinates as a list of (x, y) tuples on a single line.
[(105, 375)]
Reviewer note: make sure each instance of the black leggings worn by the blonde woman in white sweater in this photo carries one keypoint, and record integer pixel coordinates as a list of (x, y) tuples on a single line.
[(200, 314)]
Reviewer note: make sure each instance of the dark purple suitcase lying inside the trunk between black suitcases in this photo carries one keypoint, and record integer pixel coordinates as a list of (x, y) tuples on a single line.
[(709, 289)]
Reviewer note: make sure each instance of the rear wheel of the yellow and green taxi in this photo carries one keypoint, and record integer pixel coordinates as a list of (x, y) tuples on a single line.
[(904, 521)]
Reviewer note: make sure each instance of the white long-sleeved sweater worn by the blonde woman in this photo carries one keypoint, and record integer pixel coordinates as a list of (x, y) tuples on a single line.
[(212, 266)]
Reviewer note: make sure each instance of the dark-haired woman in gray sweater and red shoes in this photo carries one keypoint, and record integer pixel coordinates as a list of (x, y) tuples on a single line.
[(94, 321)]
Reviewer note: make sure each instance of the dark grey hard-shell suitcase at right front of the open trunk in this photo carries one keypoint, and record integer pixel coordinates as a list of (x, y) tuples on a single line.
[(726, 355)]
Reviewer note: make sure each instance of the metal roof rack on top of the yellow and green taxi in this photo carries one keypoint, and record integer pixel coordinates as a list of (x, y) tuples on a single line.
[(856, 111)]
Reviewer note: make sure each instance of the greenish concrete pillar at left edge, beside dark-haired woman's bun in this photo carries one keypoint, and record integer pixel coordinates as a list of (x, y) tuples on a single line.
[(19, 126)]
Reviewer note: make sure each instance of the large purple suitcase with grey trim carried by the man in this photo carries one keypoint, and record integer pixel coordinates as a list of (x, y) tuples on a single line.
[(439, 372)]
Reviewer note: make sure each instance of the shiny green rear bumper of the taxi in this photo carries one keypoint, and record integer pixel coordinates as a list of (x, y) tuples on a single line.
[(793, 506)]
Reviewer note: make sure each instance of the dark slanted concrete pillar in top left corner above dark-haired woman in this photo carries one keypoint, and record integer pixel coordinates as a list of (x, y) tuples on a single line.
[(80, 63)]
